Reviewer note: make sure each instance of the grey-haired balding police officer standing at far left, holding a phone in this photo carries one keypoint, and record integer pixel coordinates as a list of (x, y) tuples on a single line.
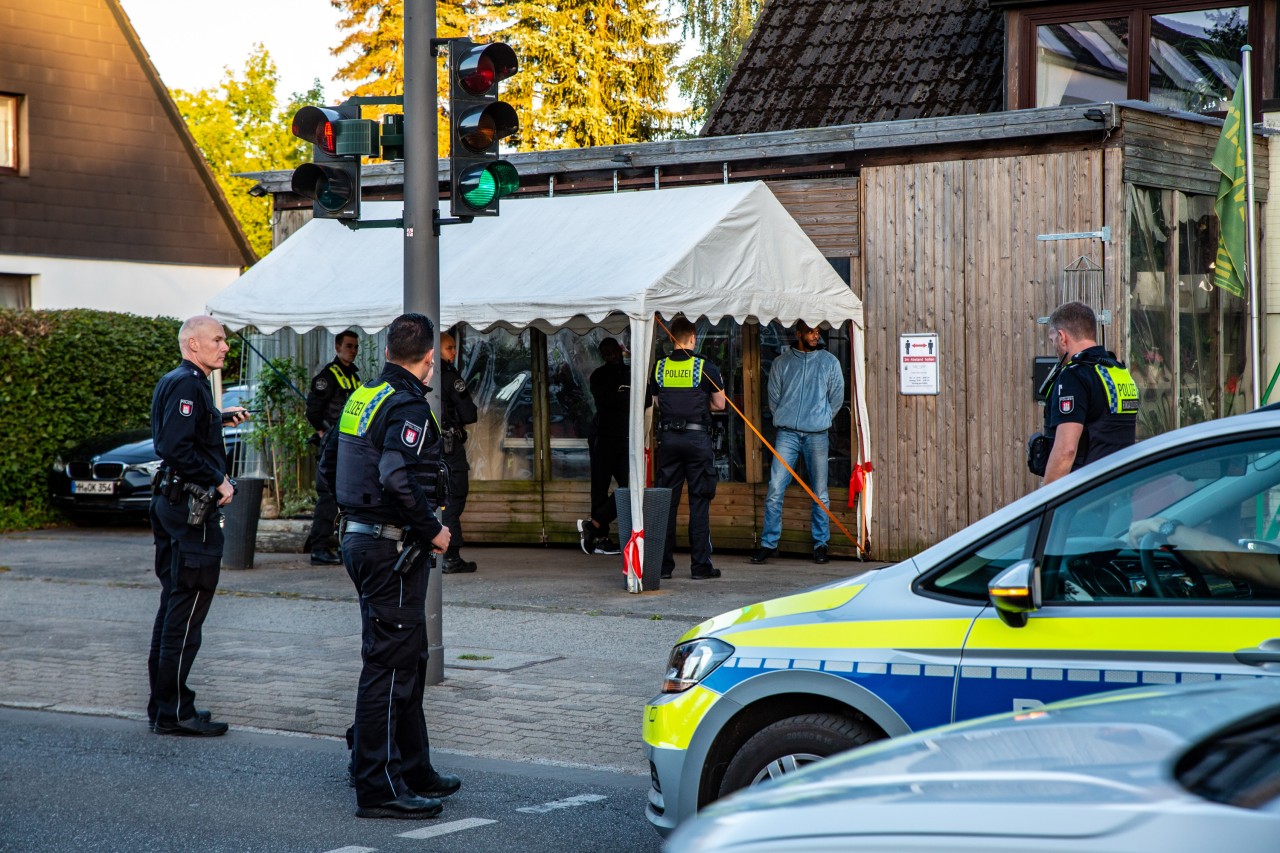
[(186, 524)]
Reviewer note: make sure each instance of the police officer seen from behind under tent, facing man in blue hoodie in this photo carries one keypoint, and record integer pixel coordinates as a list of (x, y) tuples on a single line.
[(688, 389)]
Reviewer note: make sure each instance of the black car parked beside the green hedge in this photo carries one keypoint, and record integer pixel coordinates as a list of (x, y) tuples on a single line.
[(108, 478)]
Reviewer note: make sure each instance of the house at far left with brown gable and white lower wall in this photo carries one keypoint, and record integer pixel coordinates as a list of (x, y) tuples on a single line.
[(106, 202)]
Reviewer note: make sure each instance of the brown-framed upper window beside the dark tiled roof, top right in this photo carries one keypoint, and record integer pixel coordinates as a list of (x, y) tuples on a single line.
[(1180, 56)]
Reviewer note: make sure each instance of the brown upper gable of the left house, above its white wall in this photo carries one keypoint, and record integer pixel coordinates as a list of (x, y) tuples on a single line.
[(112, 171)]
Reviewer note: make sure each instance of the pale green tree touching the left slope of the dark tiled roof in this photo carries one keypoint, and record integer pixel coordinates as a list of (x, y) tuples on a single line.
[(721, 29)]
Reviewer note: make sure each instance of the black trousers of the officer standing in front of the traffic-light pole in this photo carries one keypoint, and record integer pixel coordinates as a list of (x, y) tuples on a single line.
[(391, 749)]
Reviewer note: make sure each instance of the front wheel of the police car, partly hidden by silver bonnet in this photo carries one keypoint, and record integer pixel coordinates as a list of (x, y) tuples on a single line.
[(789, 745)]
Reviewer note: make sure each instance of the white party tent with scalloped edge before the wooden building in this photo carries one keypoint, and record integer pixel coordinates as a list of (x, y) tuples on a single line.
[(575, 262)]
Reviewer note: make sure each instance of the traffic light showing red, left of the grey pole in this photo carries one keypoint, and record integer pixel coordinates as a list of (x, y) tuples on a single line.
[(340, 139)]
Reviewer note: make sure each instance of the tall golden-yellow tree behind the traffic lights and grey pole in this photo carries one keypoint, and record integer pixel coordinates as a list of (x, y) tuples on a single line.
[(593, 72)]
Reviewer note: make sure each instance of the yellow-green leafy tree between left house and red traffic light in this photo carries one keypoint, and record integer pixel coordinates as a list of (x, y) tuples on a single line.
[(239, 127)]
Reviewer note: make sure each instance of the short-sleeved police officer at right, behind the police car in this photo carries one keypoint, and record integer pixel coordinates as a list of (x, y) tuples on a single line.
[(1092, 405)]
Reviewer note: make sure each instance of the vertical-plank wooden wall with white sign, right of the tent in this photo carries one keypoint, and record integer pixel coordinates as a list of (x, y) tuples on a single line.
[(952, 248)]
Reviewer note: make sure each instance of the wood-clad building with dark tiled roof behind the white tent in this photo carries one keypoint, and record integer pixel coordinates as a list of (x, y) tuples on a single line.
[(952, 217)]
